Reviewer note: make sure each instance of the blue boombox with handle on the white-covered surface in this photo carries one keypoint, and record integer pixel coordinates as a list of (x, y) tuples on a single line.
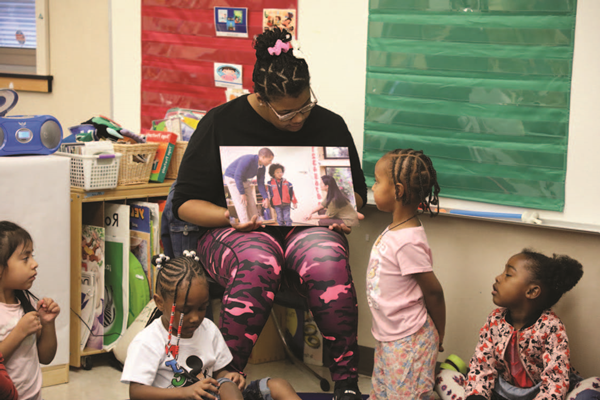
[(26, 134)]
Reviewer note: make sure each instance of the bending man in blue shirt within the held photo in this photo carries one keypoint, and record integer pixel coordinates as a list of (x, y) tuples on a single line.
[(237, 178)]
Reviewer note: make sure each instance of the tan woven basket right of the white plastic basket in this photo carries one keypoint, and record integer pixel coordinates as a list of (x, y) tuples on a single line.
[(136, 162)]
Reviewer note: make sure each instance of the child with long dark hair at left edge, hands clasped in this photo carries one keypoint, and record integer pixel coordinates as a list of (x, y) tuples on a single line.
[(27, 330)]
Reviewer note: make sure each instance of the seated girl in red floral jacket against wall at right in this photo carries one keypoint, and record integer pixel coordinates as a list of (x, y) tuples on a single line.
[(523, 350)]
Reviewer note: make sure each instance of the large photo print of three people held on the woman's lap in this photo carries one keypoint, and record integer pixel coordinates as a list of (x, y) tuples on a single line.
[(289, 186)]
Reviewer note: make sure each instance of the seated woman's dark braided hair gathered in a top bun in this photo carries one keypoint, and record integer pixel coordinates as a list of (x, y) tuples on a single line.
[(277, 76)]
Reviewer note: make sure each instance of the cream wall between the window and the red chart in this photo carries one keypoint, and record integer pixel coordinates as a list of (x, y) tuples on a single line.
[(79, 62)]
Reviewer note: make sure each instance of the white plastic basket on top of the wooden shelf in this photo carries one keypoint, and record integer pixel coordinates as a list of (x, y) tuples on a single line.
[(94, 172)]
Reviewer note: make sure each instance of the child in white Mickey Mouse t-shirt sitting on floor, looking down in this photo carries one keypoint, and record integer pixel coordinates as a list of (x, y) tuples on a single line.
[(182, 355)]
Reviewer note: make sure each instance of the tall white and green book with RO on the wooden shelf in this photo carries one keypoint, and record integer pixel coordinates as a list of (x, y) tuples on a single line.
[(116, 278)]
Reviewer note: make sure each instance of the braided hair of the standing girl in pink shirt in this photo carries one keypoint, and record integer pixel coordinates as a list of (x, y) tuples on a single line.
[(414, 170)]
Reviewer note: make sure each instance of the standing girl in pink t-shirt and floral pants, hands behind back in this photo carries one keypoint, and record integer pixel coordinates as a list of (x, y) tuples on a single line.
[(405, 297)]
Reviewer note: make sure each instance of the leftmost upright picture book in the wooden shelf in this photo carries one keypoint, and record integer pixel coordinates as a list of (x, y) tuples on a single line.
[(92, 261)]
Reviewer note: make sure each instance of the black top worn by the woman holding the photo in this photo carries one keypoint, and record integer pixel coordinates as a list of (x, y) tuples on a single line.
[(235, 123)]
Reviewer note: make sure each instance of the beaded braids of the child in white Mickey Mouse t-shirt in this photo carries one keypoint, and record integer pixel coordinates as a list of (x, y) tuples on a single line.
[(170, 275)]
